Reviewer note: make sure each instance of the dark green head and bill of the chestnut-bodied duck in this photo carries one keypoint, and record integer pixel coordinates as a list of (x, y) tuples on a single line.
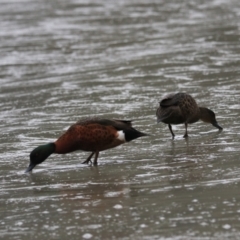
[(40, 154)]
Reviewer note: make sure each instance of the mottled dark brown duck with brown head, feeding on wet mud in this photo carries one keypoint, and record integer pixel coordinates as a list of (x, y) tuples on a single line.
[(182, 108)]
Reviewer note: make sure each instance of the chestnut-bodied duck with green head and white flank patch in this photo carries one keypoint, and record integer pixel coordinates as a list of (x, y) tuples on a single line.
[(91, 135)]
